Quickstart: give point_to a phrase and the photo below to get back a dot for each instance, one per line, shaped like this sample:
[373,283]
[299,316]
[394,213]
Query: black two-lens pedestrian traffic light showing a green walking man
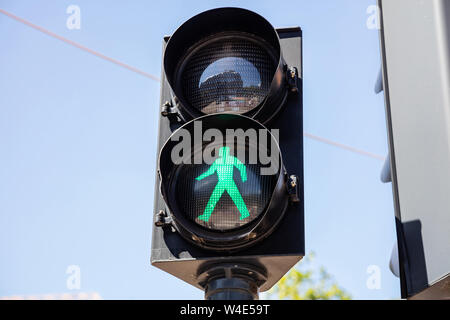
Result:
[229,187]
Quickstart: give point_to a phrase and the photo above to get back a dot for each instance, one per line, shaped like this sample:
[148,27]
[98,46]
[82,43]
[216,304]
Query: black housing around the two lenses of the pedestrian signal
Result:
[277,248]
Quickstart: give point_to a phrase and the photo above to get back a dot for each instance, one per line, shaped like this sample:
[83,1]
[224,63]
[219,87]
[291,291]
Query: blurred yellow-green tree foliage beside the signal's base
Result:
[303,282]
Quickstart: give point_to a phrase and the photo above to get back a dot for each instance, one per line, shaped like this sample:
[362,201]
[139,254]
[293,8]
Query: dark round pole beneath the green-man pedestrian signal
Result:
[229,281]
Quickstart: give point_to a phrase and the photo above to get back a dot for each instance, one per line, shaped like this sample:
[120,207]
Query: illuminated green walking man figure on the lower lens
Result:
[224,166]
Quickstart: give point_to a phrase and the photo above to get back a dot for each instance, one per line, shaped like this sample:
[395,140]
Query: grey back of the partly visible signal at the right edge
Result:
[415,80]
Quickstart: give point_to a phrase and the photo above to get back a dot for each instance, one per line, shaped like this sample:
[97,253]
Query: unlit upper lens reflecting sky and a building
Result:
[230,74]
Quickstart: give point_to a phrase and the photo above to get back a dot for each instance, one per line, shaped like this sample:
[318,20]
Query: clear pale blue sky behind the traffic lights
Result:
[78,145]
